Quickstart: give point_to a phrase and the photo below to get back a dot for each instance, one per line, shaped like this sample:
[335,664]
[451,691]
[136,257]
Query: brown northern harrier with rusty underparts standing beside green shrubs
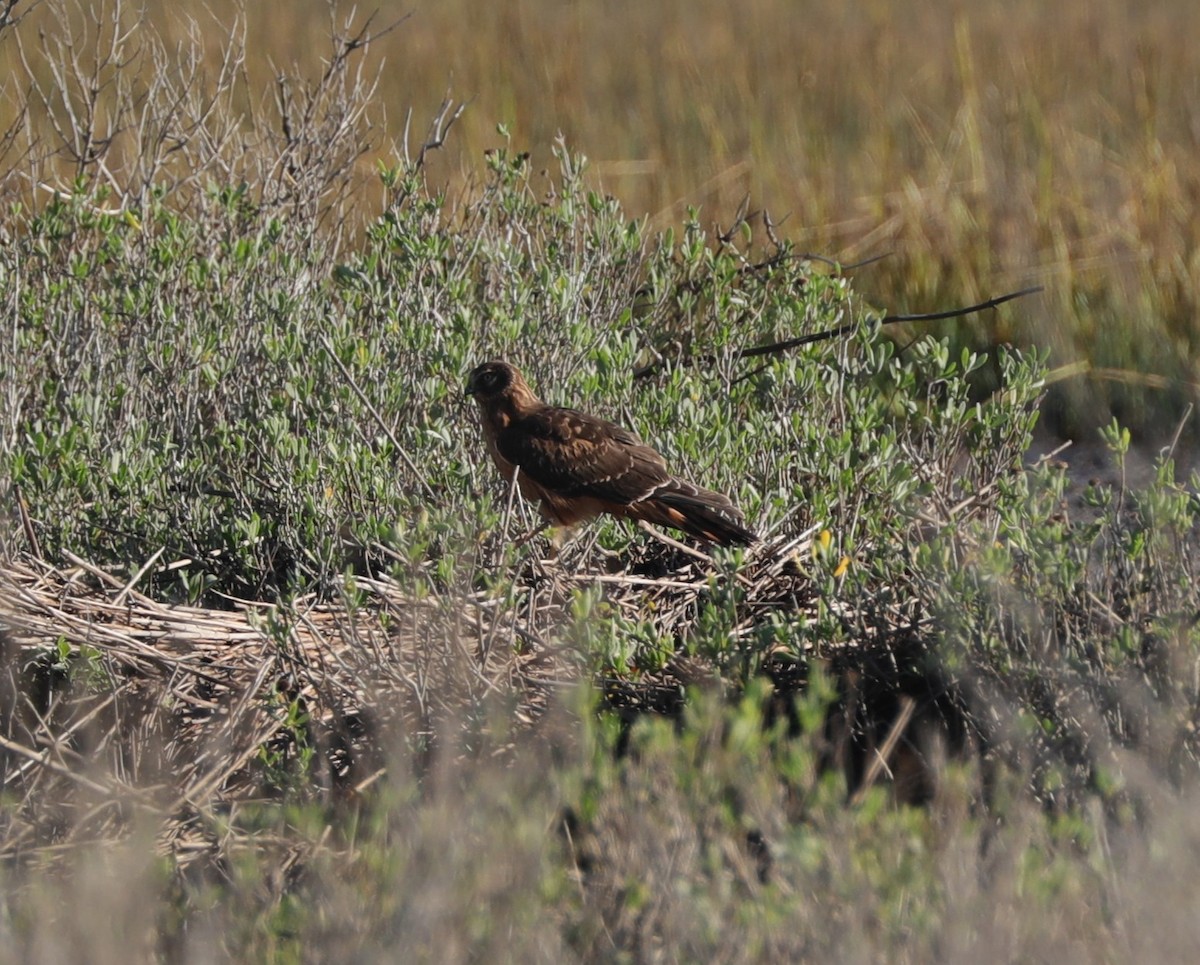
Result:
[578,466]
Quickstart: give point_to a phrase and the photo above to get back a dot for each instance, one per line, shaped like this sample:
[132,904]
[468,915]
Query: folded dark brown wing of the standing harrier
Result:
[575,455]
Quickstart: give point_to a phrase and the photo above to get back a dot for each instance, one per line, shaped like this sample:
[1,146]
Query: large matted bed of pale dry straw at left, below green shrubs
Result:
[181,712]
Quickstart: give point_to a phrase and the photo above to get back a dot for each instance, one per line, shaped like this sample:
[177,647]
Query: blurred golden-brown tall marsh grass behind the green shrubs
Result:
[983,146]
